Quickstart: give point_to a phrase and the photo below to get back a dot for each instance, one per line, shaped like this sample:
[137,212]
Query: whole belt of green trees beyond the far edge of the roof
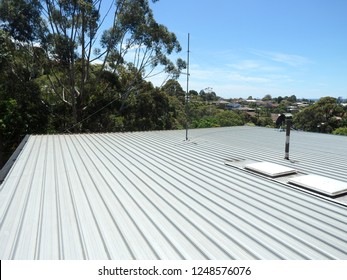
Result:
[62,70]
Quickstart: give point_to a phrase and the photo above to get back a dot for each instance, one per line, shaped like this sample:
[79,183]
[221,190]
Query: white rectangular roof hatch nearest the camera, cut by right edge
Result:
[320,184]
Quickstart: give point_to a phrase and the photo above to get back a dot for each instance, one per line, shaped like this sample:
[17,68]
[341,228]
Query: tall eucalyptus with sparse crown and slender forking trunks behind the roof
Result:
[134,42]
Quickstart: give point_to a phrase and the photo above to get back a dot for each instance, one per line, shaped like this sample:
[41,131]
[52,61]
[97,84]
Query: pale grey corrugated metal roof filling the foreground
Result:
[152,195]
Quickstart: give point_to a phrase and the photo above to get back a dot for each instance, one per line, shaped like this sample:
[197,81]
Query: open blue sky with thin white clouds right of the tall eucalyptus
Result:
[256,47]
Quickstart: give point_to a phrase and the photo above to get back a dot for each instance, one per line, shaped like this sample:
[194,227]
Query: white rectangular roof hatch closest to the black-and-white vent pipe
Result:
[270,169]
